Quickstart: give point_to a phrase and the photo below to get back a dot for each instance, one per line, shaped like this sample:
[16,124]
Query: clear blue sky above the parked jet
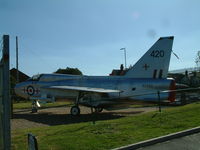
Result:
[88,34]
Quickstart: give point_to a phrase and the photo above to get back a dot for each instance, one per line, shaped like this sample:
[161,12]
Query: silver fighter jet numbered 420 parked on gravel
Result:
[143,82]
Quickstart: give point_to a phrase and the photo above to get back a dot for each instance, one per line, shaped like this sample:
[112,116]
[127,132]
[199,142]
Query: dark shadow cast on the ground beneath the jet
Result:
[60,119]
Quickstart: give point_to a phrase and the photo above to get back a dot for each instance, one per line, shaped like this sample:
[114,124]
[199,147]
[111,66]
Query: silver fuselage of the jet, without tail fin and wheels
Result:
[130,89]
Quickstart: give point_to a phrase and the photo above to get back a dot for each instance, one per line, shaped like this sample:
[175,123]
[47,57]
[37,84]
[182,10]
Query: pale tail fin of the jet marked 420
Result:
[155,62]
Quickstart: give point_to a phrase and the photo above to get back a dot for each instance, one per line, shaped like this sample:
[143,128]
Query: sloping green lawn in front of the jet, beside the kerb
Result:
[111,133]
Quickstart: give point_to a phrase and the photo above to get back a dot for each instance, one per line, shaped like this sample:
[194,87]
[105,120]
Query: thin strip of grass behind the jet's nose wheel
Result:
[27,105]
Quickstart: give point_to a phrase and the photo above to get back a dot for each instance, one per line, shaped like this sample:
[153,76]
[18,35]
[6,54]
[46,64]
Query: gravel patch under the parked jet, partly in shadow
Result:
[24,119]
